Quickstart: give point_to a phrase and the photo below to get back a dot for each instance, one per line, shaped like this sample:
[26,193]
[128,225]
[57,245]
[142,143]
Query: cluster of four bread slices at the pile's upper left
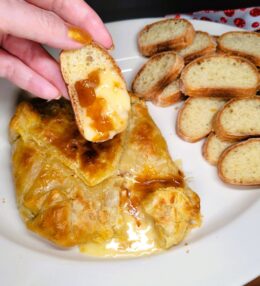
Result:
[152,82]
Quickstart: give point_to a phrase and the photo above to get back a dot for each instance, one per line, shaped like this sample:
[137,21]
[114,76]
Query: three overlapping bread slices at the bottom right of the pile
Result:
[231,147]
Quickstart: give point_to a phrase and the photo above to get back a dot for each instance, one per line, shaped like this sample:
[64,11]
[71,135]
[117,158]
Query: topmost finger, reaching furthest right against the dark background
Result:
[78,13]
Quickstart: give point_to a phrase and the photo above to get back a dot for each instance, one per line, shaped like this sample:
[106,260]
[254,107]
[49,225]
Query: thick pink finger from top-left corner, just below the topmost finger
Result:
[24,20]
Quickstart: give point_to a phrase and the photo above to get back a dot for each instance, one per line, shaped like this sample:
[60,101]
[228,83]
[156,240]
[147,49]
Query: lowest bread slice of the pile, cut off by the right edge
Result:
[239,164]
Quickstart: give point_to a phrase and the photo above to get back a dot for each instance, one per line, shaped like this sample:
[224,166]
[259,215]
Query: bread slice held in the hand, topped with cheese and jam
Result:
[97,90]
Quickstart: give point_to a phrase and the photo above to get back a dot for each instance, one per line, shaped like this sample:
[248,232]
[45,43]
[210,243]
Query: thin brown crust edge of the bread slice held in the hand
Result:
[73,95]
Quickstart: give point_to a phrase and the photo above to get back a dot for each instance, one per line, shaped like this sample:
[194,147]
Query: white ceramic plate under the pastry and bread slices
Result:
[224,251]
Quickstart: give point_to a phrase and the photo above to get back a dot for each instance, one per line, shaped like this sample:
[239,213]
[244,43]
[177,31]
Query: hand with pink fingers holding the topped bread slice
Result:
[25,24]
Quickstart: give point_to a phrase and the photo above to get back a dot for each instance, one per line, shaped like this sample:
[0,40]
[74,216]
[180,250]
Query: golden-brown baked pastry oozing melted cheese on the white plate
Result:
[124,196]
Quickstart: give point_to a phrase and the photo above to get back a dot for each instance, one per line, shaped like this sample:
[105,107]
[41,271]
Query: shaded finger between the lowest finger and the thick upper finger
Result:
[37,58]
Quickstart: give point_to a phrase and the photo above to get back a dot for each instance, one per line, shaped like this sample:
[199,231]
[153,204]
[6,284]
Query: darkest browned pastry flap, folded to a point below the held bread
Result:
[53,125]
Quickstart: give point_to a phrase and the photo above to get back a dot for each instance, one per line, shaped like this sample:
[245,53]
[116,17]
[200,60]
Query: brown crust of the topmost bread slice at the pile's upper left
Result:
[178,43]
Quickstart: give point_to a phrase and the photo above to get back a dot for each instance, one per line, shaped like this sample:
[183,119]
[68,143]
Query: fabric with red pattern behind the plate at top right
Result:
[246,18]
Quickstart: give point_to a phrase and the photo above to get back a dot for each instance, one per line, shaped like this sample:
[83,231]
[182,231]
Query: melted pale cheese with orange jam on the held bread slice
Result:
[104,122]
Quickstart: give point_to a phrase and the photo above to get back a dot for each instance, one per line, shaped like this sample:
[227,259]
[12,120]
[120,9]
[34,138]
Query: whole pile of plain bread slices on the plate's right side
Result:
[219,74]
